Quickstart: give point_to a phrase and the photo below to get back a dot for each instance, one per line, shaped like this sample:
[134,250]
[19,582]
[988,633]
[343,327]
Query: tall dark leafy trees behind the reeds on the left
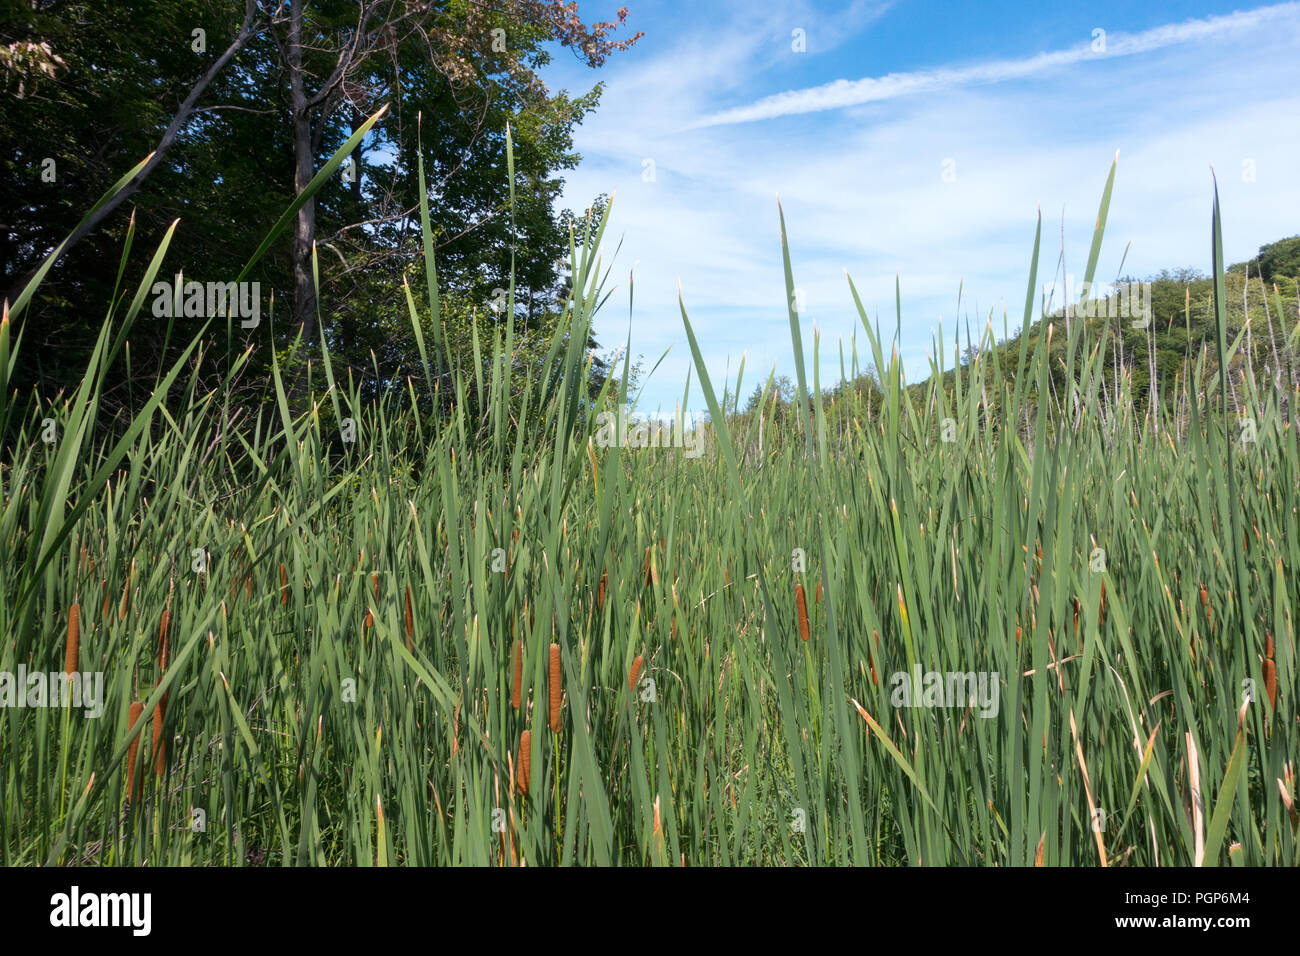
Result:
[237,131]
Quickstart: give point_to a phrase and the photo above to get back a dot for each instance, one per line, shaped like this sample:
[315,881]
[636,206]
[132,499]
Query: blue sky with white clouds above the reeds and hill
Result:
[917,139]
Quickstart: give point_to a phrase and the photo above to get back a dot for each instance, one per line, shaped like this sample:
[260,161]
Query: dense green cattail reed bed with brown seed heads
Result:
[489,641]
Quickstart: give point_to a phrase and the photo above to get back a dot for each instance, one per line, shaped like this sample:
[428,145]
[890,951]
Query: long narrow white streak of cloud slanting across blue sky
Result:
[844,93]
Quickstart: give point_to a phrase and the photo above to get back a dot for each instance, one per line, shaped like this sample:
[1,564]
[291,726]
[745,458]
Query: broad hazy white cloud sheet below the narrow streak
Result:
[863,191]
